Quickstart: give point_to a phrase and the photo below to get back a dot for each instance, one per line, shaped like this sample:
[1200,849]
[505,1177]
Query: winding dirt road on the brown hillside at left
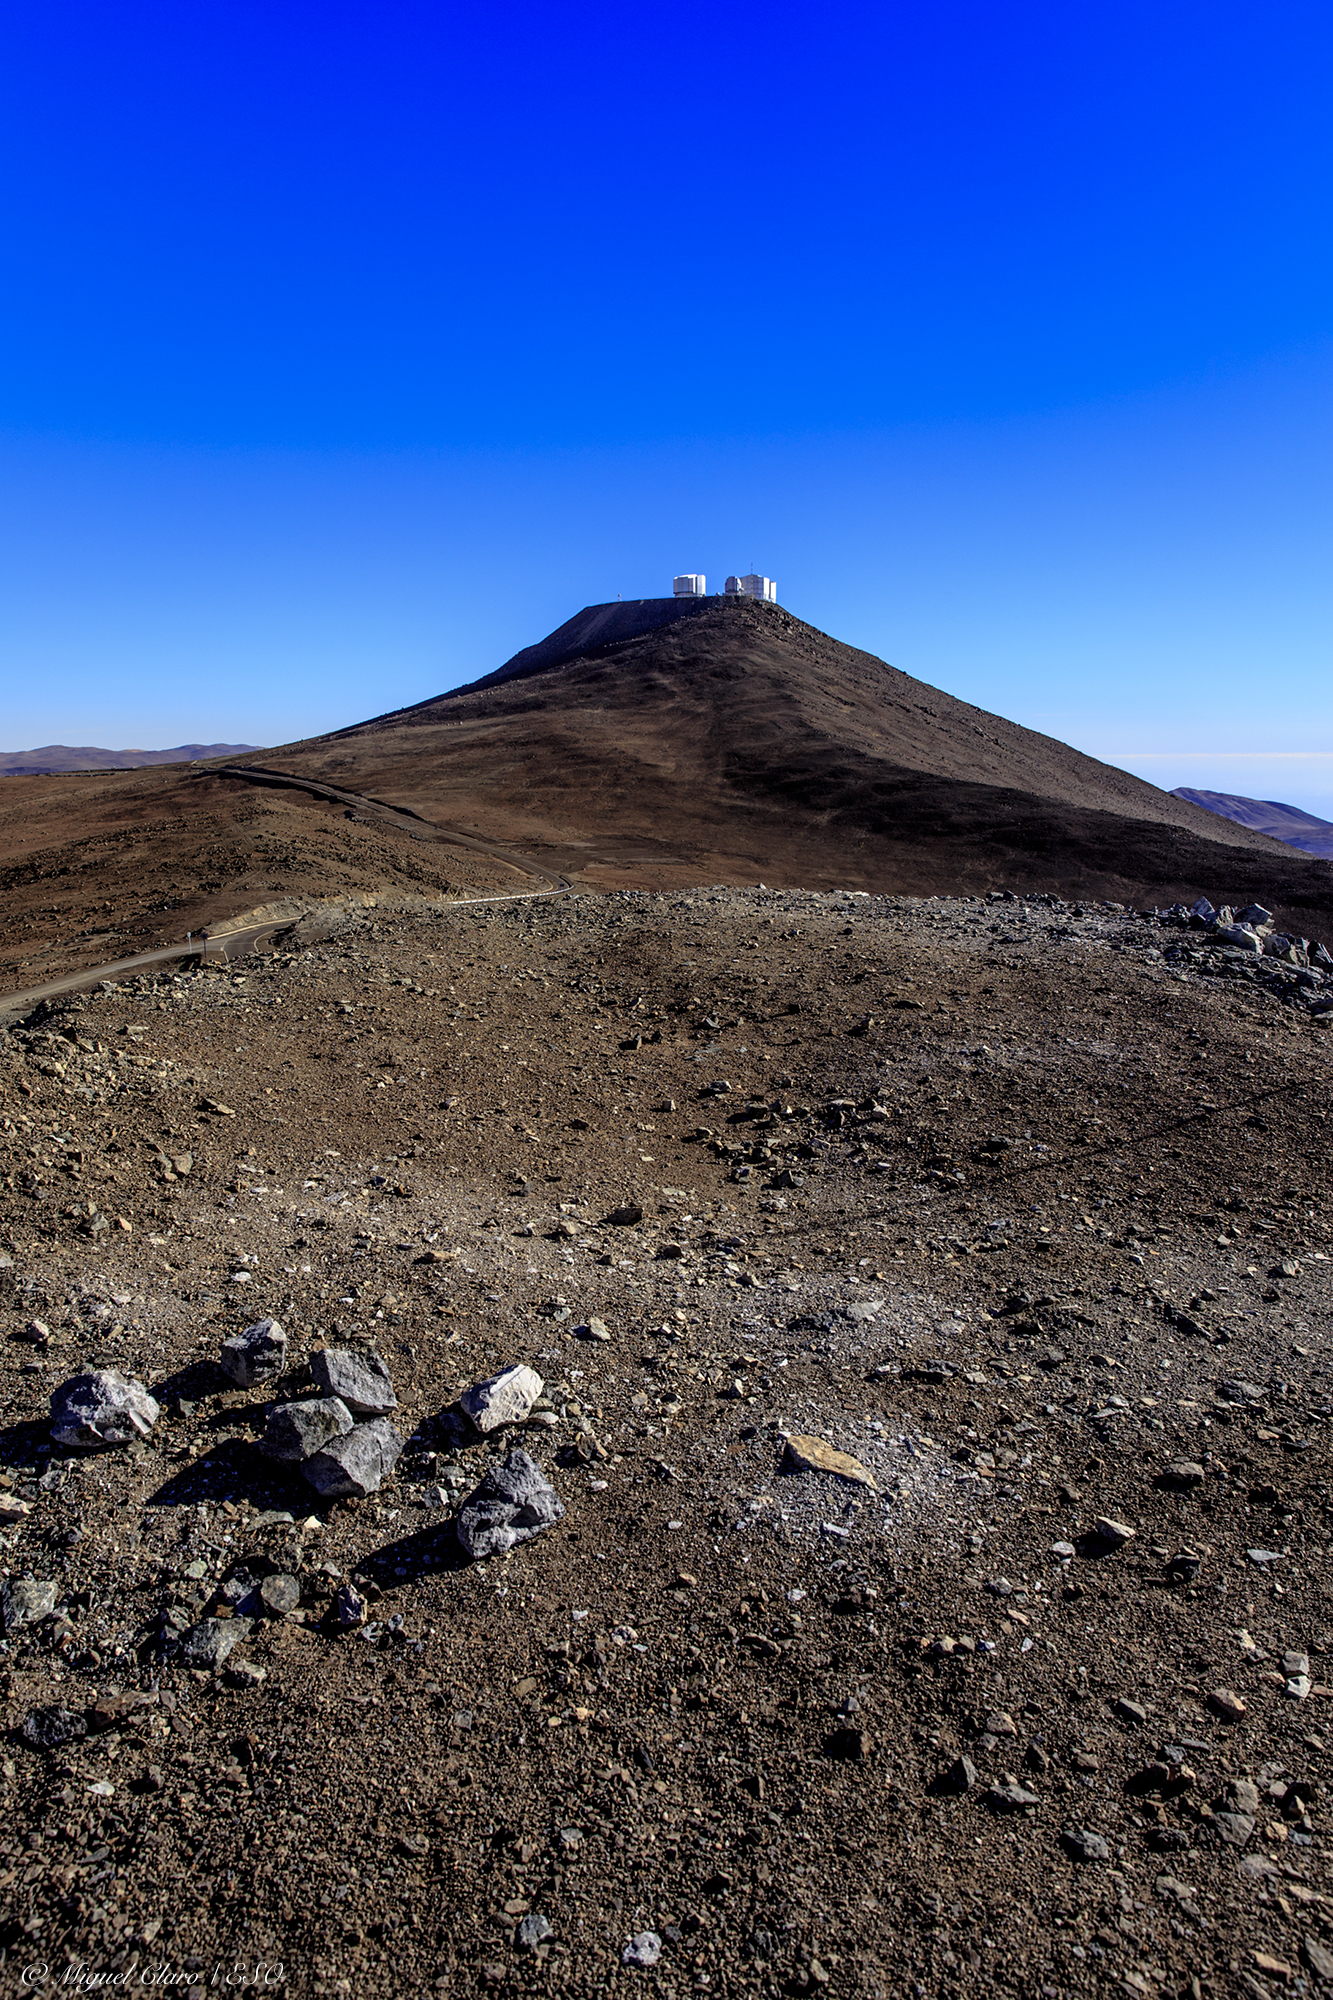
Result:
[249,939]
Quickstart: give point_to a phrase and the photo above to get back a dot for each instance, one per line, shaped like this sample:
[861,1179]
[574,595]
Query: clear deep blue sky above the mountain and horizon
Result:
[351,349]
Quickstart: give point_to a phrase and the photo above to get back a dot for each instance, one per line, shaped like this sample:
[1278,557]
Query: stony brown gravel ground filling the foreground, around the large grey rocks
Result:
[1020,1207]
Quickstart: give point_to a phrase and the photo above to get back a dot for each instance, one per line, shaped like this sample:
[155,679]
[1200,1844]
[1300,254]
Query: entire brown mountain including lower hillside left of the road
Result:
[643,745]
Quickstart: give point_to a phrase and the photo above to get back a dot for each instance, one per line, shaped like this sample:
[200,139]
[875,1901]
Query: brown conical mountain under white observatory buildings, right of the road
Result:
[716,739]
